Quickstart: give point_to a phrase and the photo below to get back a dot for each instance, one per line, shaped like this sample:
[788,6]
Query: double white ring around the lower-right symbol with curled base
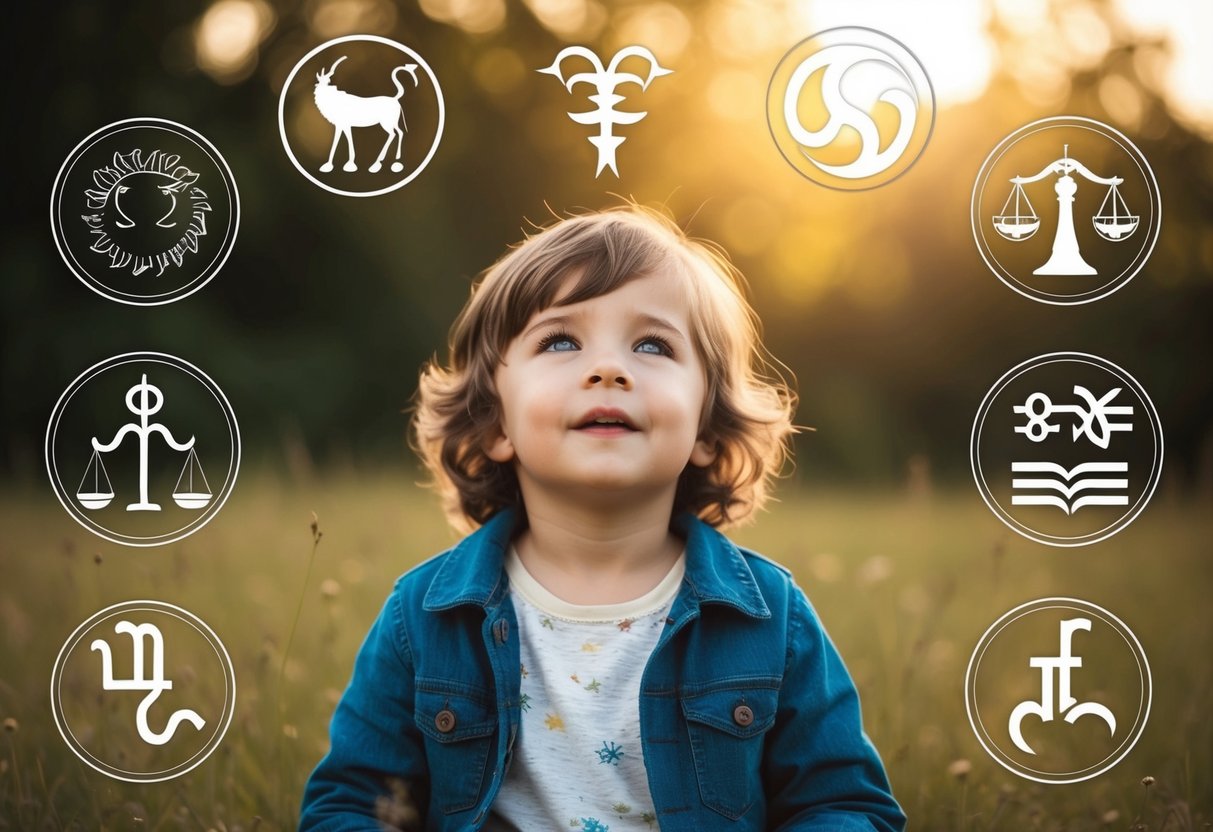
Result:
[1083,607]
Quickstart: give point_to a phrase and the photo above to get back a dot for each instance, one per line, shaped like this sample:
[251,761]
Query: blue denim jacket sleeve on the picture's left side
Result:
[375,757]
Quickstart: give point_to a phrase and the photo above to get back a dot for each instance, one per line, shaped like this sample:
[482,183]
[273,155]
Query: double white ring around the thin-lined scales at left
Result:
[96,528]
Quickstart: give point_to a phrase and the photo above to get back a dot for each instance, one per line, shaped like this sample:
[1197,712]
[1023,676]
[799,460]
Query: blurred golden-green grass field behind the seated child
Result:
[906,585]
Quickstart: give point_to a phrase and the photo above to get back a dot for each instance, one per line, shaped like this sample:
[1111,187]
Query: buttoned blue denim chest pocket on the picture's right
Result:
[726,723]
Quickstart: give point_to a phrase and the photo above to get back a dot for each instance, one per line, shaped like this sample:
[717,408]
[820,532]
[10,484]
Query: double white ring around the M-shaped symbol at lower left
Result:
[167,609]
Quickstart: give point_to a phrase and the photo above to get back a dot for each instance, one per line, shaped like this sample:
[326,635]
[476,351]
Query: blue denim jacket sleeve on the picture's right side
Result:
[821,771]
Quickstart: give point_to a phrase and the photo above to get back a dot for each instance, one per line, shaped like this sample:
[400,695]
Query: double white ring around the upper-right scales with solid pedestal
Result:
[1005,145]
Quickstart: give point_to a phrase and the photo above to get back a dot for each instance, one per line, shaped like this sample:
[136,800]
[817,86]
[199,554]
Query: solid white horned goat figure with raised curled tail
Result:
[346,112]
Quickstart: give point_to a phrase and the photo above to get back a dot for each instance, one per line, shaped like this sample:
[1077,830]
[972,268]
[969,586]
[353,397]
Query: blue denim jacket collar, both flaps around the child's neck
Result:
[716,573]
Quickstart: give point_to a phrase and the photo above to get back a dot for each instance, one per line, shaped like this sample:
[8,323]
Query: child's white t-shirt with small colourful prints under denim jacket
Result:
[578,762]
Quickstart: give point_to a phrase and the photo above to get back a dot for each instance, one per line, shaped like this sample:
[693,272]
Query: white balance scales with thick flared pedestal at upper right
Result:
[1113,223]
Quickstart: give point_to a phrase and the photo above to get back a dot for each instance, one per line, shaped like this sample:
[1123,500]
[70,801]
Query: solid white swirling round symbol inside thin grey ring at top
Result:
[839,61]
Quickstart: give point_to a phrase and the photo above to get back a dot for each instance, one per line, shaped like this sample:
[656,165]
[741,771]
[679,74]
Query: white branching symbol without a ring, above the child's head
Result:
[606,81]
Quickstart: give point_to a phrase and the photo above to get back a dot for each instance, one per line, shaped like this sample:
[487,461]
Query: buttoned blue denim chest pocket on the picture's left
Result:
[459,723]
